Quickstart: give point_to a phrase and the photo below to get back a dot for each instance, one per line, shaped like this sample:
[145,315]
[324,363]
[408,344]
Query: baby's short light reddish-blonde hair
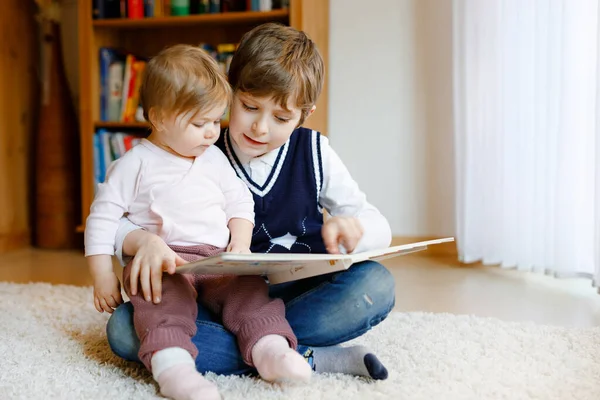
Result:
[183,80]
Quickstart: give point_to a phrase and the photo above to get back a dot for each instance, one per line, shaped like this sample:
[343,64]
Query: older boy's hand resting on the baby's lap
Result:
[152,258]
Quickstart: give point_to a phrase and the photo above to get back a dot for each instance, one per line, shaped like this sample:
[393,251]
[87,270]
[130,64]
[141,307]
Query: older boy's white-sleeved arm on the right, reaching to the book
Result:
[341,197]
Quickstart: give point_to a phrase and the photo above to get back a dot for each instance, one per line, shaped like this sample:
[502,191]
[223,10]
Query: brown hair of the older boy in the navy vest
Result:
[278,61]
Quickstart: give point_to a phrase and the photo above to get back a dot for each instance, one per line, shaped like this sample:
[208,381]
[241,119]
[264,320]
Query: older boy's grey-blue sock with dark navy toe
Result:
[357,360]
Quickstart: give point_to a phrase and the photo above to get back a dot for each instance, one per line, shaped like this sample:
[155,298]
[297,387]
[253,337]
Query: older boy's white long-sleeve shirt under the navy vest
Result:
[340,195]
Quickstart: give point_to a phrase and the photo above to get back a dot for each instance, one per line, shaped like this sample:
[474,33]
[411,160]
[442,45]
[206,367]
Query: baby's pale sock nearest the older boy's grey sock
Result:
[276,361]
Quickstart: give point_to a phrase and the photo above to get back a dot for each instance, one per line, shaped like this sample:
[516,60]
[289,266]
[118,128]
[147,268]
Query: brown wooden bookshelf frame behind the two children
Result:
[146,37]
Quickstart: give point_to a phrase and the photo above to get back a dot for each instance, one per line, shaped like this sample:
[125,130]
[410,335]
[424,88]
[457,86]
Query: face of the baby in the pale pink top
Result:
[191,139]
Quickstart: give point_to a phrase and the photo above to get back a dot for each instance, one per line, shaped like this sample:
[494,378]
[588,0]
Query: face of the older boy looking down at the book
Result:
[258,125]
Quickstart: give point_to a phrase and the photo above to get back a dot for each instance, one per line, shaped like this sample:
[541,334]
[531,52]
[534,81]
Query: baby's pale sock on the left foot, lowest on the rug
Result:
[175,371]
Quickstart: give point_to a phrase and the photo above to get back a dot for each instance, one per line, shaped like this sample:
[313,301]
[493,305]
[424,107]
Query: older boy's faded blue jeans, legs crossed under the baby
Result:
[323,311]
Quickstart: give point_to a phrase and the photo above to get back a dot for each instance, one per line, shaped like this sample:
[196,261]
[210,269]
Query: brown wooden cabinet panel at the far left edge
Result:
[18,104]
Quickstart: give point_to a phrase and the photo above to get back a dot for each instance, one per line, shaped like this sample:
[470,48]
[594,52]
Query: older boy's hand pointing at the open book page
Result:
[345,231]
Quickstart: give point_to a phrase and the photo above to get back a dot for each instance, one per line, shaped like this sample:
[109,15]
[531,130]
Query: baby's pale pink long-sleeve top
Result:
[184,202]
